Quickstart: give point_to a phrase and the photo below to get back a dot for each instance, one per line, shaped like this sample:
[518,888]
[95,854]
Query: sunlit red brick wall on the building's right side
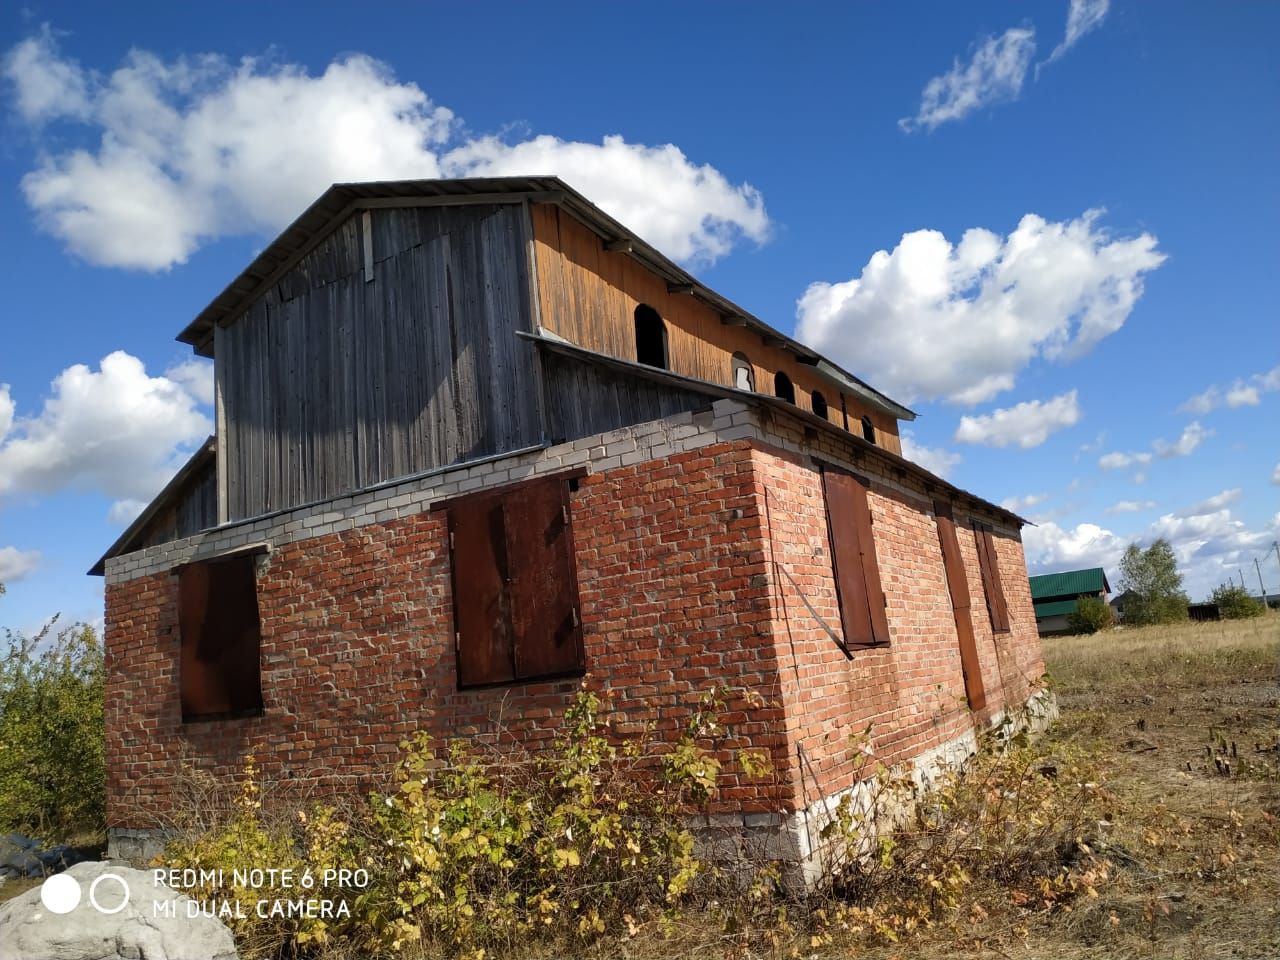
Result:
[912,692]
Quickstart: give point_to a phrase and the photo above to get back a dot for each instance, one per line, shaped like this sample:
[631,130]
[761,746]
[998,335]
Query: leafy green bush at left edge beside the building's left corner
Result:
[52,767]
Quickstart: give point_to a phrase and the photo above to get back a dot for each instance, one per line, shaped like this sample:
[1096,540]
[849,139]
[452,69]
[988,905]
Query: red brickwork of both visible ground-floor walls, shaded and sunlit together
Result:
[685,569]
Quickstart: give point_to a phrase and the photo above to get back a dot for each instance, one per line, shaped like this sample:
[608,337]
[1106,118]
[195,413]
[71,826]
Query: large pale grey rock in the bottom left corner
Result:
[154,925]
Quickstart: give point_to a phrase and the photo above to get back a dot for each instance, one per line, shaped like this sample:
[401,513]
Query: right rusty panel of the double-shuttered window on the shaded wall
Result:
[548,636]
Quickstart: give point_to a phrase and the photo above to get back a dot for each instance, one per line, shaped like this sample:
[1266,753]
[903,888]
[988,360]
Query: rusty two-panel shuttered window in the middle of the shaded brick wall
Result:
[515,589]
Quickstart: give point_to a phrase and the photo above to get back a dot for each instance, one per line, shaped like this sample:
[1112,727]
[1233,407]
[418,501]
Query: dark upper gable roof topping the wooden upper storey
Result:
[337,204]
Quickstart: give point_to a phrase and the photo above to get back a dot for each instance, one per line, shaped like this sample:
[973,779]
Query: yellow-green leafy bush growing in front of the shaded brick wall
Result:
[473,849]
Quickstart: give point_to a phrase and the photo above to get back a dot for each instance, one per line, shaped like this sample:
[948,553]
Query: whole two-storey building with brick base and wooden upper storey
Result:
[477,442]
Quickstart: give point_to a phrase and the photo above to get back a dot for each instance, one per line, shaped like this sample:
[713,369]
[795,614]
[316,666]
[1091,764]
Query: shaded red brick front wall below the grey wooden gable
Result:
[358,646]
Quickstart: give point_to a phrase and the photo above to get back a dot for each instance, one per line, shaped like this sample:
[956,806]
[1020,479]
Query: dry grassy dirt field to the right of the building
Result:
[1187,724]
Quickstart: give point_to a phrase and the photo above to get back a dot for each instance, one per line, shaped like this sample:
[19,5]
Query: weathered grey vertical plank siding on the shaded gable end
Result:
[335,383]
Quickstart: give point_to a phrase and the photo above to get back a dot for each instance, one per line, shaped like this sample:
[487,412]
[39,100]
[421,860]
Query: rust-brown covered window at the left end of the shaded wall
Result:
[218,621]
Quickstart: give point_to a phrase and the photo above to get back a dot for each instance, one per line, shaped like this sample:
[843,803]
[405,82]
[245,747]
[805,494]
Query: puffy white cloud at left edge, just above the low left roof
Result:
[115,431]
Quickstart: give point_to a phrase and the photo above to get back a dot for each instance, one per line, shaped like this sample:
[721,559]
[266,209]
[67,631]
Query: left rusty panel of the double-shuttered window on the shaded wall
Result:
[482,615]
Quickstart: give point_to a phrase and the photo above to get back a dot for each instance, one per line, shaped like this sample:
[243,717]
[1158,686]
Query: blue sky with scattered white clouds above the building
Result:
[1049,228]
